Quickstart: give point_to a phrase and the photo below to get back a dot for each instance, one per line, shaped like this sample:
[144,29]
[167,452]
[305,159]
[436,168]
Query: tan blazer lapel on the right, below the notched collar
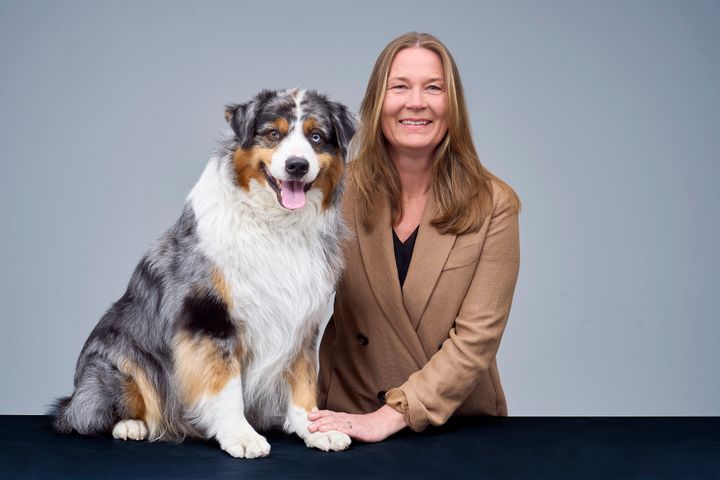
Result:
[429,255]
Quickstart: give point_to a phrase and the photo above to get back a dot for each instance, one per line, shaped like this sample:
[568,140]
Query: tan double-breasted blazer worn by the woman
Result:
[428,349]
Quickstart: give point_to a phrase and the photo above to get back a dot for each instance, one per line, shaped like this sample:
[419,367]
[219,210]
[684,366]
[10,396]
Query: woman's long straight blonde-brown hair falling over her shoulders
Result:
[461,185]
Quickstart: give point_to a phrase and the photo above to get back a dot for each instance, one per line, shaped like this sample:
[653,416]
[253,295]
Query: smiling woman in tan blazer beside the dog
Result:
[431,264]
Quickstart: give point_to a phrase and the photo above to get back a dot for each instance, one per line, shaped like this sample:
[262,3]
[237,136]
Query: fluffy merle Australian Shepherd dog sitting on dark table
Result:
[216,334]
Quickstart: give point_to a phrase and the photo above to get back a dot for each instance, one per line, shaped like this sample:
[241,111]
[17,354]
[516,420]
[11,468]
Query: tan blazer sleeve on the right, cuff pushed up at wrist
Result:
[433,393]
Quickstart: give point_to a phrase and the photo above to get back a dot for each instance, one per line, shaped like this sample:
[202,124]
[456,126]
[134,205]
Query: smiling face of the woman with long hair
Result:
[414,111]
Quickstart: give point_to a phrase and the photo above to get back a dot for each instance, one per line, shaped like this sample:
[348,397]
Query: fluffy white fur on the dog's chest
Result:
[273,260]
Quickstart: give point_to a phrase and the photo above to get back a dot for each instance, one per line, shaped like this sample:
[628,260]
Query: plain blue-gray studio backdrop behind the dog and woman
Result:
[603,115]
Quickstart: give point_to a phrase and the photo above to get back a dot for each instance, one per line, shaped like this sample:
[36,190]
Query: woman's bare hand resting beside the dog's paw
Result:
[368,427]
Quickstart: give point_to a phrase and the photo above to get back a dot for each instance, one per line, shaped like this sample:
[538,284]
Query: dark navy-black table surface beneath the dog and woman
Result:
[514,447]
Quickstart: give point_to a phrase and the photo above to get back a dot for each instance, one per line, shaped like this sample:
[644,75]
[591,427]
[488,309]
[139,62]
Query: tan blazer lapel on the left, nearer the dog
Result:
[378,256]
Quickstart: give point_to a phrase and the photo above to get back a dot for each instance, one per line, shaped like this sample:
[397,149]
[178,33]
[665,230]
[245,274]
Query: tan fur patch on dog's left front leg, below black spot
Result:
[202,366]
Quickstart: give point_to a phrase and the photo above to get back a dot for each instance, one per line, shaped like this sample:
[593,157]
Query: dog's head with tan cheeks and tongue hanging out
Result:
[291,141]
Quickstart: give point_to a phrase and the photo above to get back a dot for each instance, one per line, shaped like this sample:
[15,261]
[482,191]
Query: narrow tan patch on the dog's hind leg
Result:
[142,397]
